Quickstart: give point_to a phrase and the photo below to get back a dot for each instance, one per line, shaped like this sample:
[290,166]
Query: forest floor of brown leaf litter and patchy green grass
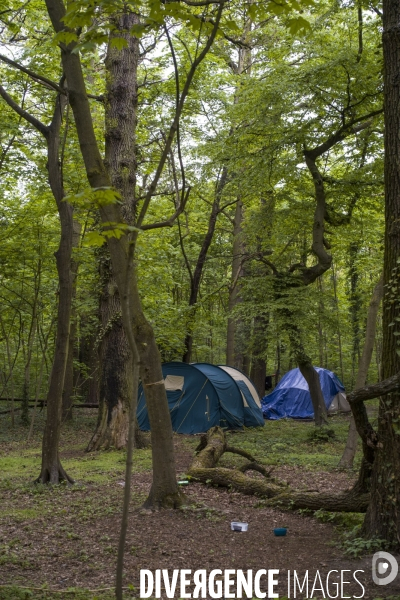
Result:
[61,542]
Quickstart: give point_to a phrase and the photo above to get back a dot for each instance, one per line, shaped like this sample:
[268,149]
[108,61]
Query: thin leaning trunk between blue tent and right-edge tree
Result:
[349,452]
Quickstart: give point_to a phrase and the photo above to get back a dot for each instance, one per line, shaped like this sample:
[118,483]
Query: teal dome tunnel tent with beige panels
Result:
[201,395]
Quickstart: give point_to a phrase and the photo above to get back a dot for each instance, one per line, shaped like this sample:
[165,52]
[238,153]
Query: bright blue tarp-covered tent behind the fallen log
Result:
[291,397]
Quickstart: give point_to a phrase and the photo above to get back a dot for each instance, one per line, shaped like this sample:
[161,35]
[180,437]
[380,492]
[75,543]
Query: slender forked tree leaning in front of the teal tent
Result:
[164,491]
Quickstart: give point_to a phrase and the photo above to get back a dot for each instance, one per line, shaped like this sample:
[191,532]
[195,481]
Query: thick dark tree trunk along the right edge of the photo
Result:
[382,518]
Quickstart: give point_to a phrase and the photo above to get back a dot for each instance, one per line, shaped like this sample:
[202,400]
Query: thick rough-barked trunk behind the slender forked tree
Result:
[116,369]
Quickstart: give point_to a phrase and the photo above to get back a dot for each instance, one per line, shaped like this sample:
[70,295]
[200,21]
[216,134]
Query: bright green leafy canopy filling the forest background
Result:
[307,78]
